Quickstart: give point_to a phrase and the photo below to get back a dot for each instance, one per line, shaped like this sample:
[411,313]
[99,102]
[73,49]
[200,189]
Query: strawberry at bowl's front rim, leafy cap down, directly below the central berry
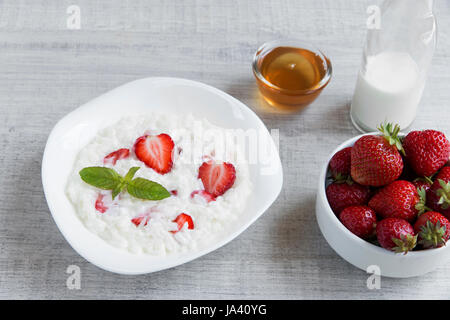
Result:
[396,235]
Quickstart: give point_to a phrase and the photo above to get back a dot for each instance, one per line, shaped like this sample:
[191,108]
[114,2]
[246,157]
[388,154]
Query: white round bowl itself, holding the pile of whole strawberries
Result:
[363,254]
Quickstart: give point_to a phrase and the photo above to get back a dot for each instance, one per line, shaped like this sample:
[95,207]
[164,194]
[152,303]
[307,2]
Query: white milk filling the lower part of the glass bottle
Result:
[389,91]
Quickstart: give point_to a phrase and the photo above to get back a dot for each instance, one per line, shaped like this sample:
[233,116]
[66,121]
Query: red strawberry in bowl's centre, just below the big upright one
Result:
[397,200]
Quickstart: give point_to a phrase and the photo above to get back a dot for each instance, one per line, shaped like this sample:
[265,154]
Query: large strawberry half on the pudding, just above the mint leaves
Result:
[155,152]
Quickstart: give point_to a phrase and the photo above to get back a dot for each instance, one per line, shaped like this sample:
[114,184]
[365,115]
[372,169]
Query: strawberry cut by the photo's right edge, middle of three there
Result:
[438,197]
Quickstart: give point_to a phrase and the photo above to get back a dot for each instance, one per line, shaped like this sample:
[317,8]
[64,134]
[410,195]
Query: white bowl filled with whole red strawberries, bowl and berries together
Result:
[384,200]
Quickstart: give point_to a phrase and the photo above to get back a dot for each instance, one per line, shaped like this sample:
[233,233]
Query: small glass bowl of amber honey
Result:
[290,75]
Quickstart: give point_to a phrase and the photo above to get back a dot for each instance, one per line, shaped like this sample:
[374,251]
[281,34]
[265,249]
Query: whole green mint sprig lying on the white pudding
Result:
[108,179]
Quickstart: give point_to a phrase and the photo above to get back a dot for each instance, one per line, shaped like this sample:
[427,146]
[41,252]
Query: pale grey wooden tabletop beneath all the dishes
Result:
[48,71]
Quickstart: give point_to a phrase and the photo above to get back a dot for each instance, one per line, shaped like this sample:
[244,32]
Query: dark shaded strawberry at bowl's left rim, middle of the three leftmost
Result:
[343,195]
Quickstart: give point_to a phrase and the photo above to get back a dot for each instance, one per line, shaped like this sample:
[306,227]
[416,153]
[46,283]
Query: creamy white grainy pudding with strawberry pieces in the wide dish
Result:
[201,208]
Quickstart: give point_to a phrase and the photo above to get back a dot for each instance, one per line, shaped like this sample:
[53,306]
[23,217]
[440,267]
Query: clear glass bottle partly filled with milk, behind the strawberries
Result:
[396,59]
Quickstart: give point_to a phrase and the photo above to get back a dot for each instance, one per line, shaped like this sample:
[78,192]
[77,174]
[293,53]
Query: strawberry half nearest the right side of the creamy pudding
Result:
[217,177]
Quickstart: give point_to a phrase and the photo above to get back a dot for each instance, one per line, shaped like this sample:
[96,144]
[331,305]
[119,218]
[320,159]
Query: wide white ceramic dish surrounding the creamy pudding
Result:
[77,128]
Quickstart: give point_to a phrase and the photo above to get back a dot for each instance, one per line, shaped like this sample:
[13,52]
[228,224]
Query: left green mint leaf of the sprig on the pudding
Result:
[101,177]
